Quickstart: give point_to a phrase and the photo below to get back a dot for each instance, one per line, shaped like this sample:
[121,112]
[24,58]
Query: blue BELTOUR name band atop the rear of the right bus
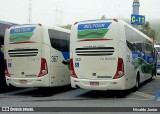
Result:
[90,26]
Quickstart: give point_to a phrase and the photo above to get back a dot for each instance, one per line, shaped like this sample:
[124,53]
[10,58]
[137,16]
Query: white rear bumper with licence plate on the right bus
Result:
[113,84]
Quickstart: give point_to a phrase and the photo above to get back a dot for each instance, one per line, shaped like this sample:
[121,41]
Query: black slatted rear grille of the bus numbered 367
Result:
[23,52]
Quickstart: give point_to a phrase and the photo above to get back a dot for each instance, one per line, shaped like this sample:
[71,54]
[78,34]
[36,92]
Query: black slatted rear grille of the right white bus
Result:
[96,51]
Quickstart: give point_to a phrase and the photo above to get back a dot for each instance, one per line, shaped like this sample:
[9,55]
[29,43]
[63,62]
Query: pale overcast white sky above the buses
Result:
[53,12]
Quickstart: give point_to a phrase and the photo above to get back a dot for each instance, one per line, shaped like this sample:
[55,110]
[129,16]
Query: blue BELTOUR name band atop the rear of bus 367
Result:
[22,30]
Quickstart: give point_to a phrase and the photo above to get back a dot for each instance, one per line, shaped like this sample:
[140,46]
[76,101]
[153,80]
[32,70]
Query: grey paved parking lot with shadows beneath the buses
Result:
[69,97]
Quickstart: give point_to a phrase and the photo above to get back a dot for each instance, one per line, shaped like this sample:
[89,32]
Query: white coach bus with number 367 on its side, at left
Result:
[37,56]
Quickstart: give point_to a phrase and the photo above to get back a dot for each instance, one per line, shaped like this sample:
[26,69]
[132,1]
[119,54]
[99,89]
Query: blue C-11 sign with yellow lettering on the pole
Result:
[137,19]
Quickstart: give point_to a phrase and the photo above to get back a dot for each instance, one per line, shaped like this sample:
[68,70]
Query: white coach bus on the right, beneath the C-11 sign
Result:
[109,55]
